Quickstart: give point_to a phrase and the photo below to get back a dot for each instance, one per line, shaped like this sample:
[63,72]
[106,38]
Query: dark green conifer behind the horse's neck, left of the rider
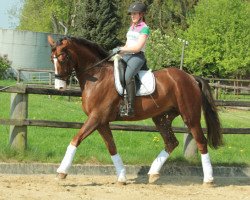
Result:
[98,21]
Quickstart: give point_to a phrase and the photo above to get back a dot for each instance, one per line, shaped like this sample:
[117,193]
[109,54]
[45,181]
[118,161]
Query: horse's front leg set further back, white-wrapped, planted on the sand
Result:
[107,136]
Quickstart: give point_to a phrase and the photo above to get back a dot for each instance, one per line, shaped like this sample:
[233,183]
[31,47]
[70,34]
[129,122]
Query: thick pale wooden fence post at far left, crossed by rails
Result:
[19,110]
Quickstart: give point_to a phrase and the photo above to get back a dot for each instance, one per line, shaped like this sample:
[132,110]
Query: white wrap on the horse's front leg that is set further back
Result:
[120,169]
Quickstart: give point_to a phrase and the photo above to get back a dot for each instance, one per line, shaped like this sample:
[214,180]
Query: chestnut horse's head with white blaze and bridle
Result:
[63,61]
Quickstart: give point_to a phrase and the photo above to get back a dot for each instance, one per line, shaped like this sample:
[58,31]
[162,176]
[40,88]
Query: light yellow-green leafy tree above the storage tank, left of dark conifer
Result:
[47,16]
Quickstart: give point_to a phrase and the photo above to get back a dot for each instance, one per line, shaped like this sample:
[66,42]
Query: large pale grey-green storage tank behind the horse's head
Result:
[26,49]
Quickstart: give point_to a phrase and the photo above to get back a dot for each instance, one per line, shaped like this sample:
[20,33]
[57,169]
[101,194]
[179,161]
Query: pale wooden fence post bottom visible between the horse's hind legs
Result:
[190,147]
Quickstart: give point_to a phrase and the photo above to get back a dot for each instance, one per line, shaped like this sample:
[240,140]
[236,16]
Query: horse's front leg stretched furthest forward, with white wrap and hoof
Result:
[88,127]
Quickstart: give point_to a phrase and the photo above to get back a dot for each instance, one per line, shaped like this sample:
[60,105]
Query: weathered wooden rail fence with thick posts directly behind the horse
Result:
[19,117]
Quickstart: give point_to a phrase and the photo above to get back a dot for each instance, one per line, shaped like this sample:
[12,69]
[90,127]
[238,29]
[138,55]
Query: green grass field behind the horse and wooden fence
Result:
[49,144]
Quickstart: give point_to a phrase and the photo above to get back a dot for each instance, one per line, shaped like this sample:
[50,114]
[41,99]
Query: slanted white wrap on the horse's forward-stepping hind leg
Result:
[158,162]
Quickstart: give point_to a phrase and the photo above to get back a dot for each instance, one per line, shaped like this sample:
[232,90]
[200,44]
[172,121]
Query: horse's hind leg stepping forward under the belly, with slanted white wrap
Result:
[164,125]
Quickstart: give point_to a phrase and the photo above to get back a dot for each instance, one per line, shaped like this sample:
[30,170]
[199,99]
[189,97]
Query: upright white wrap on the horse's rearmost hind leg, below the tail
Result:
[207,168]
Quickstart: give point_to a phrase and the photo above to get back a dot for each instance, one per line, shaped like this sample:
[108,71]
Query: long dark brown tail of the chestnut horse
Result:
[214,134]
